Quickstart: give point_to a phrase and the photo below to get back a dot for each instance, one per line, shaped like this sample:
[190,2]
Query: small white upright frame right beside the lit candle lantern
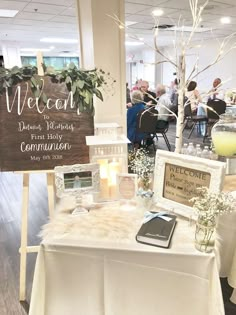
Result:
[127,186]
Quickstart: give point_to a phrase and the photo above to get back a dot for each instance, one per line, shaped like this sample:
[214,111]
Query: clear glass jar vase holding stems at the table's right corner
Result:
[205,234]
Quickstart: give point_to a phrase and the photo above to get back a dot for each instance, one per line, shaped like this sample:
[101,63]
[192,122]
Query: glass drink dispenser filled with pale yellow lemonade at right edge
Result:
[223,135]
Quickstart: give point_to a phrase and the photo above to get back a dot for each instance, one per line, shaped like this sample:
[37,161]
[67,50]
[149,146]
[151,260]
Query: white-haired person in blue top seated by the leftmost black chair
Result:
[138,105]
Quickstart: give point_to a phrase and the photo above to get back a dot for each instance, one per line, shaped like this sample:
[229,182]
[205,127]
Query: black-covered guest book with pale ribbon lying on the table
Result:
[157,231]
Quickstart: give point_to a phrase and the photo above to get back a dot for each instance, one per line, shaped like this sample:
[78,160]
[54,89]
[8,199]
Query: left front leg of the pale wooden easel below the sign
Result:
[24,236]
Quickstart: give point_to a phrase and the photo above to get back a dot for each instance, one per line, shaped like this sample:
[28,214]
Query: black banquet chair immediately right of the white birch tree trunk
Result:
[194,119]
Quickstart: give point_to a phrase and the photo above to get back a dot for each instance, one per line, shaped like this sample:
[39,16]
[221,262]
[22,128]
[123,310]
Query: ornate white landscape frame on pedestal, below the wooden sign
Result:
[77,179]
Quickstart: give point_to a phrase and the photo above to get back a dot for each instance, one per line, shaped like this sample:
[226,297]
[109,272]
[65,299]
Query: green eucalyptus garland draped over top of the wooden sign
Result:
[83,84]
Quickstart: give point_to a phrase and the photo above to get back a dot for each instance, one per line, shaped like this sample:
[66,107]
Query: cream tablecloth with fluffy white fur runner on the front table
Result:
[92,265]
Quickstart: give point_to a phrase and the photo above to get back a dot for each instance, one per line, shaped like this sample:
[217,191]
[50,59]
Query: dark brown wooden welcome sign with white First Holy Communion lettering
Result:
[39,136]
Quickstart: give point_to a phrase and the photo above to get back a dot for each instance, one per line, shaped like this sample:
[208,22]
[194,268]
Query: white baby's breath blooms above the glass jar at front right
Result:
[209,205]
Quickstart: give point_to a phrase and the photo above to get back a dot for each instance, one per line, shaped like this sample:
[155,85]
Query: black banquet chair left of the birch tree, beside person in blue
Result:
[147,122]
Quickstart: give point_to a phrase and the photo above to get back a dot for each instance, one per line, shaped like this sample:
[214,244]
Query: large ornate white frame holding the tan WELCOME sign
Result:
[172,190]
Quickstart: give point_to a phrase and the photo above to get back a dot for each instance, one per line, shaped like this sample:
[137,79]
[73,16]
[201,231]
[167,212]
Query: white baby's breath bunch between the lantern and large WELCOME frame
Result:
[142,165]
